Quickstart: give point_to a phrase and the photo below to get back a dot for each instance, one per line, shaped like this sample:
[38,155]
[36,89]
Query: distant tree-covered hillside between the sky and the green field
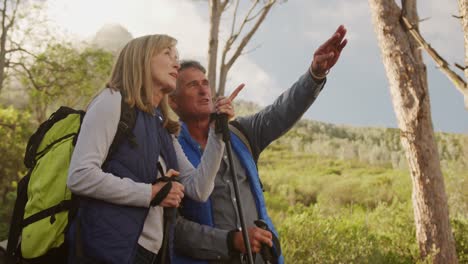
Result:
[376,146]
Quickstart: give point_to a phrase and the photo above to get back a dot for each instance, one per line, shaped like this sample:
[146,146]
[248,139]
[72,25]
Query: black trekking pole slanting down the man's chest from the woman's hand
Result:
[222,127]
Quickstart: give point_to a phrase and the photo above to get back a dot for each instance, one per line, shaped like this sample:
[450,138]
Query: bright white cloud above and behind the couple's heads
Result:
[176,18]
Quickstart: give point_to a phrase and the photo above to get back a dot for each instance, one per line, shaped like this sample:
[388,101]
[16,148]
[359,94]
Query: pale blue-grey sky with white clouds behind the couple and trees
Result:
[357,90]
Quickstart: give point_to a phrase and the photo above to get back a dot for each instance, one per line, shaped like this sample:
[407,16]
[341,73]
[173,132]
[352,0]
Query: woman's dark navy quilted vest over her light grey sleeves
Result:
[110,232]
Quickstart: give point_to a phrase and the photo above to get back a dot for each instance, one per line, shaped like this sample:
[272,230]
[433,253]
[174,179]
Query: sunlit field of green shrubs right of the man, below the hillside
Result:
[330,210]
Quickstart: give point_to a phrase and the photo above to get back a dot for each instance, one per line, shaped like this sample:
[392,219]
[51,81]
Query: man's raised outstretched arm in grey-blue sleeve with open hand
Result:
[276,119]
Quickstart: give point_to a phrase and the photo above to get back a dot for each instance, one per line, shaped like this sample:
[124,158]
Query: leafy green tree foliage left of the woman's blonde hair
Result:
[63,75]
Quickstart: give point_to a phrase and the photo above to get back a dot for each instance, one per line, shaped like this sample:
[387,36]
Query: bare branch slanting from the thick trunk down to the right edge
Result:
[459,83]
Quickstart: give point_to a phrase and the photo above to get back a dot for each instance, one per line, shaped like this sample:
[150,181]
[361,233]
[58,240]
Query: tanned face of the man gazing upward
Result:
[193,96]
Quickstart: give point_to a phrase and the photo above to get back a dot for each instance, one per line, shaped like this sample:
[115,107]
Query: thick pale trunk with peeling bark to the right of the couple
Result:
[406,73]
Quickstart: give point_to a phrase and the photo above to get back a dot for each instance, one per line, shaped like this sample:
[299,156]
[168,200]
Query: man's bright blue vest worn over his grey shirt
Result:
[201,212]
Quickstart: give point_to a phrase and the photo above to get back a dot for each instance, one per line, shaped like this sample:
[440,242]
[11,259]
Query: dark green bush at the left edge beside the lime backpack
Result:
[15,129]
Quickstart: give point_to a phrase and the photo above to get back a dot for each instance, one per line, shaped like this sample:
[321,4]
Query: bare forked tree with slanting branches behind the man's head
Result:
[255,16]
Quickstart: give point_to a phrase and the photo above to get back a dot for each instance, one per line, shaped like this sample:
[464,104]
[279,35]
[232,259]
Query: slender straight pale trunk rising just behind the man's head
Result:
[215,17]
